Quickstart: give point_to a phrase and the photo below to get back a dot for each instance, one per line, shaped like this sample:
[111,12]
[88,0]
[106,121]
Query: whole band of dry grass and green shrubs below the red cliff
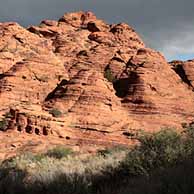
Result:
[162,163]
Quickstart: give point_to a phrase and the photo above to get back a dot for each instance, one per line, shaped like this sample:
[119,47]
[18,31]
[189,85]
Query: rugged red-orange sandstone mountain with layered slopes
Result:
[83,82]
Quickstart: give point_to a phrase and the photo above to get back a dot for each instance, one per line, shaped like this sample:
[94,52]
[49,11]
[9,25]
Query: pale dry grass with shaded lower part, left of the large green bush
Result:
[70,174]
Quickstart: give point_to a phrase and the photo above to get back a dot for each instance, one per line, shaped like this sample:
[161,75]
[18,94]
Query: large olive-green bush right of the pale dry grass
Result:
[158,150]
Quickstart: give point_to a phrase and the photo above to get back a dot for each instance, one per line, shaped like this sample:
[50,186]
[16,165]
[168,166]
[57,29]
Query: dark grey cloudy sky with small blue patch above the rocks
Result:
[165,25]
